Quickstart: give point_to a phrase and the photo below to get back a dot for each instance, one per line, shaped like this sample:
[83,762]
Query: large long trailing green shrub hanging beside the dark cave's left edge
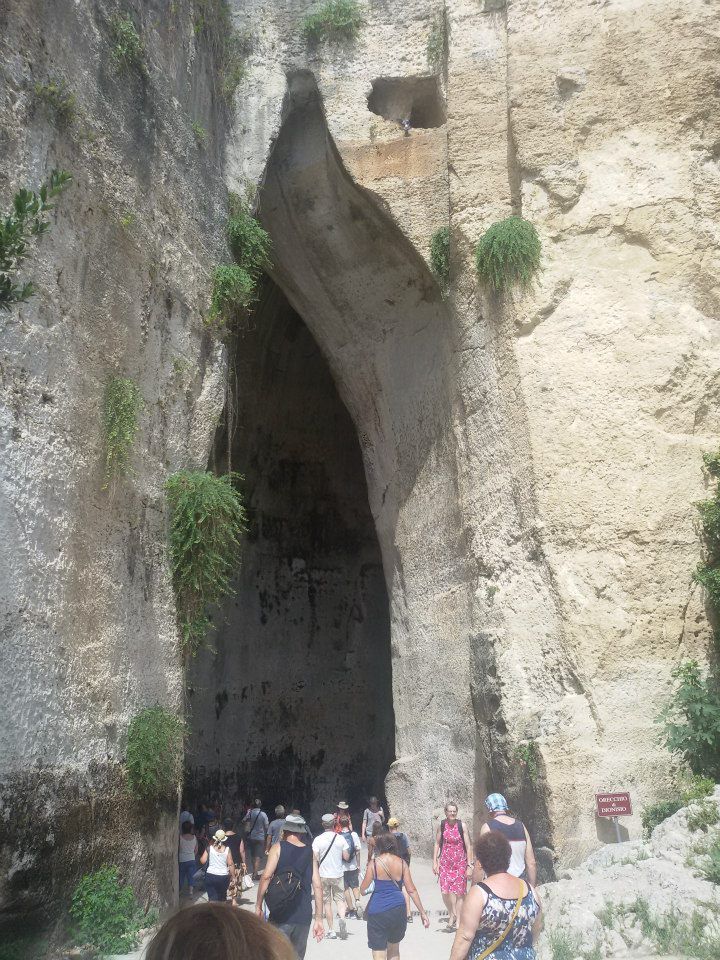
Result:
[207,520]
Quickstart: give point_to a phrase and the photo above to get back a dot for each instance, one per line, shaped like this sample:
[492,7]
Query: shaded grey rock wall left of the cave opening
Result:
[88,622]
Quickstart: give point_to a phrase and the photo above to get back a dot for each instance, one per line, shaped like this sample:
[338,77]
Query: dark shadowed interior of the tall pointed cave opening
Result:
[295,703]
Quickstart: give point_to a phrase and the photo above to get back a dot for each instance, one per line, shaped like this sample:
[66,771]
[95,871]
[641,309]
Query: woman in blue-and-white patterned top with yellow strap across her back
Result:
[501,915]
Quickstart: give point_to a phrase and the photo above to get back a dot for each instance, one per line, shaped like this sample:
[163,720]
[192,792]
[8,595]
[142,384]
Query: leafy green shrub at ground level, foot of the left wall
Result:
[105,914]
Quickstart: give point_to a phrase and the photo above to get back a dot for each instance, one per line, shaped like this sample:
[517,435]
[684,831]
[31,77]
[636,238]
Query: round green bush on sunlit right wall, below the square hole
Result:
[508,254]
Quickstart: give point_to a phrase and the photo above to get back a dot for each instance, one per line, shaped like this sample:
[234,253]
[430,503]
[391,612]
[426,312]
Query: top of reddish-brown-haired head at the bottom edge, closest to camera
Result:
[214,931]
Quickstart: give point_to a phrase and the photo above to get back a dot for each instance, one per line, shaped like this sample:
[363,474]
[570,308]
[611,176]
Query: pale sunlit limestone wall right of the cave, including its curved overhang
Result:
[567,425]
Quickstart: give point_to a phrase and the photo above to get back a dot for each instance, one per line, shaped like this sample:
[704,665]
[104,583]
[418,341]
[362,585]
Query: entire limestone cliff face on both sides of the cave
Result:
[530,462]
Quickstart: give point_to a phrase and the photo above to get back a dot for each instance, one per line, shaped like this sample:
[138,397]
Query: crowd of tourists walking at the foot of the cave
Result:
[310,884]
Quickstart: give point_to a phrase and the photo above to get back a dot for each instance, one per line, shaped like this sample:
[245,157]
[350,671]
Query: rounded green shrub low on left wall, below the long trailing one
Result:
[154,754]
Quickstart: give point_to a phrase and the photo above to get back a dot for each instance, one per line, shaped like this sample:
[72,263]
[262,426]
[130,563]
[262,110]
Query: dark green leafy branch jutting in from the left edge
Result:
[25,222]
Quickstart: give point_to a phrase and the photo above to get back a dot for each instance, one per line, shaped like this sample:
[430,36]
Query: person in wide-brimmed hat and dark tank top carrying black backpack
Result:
[293,872]
